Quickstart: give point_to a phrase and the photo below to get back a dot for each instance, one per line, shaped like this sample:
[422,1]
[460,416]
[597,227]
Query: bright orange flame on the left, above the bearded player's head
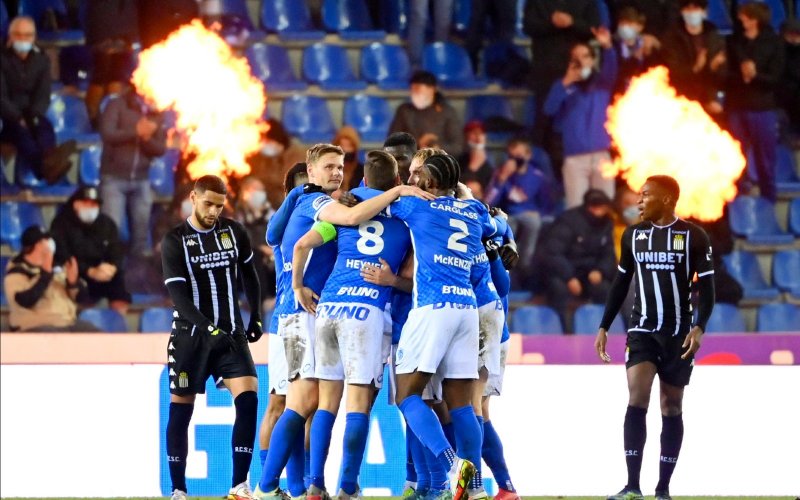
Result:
[218,103]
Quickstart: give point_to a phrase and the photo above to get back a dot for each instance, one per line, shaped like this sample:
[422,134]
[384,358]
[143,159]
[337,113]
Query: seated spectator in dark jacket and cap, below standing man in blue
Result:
[576,255]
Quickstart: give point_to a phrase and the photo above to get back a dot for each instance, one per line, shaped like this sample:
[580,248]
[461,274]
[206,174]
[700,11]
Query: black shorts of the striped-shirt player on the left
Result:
[191,359]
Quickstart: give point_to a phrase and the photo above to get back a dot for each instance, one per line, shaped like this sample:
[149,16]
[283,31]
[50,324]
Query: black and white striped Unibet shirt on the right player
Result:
[664,260]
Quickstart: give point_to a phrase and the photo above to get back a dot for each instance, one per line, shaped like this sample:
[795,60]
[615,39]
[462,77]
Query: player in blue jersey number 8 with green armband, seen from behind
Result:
[349,345]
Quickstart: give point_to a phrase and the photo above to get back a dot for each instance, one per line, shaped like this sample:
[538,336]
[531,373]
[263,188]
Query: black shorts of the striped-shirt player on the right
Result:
[665,352]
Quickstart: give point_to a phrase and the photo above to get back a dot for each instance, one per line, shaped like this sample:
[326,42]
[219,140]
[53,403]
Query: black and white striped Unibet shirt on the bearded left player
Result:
[208,262]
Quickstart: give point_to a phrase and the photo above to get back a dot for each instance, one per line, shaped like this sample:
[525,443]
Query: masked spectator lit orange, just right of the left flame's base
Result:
[278,153]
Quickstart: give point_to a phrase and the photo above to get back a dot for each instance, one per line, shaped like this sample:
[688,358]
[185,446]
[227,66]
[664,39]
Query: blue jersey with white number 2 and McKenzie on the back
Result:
[446,233]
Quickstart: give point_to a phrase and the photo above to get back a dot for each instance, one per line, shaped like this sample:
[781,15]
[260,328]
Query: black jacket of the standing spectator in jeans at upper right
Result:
[767,51]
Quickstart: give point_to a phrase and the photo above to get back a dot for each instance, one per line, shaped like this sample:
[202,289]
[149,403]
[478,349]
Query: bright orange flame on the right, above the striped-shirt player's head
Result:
[658,132]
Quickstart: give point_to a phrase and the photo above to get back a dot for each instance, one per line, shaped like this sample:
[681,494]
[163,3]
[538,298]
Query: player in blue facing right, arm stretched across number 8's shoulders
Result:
[296,326]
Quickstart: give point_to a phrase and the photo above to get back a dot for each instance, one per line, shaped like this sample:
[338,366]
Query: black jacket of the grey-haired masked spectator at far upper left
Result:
[24,85]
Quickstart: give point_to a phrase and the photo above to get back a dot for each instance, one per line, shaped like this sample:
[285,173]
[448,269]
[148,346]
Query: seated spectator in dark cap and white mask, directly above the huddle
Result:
[428,117]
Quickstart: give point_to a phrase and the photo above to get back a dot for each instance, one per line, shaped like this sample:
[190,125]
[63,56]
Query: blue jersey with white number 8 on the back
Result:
[379,237]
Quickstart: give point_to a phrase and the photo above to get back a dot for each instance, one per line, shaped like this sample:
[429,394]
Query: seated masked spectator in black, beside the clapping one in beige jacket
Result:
[92,238]
